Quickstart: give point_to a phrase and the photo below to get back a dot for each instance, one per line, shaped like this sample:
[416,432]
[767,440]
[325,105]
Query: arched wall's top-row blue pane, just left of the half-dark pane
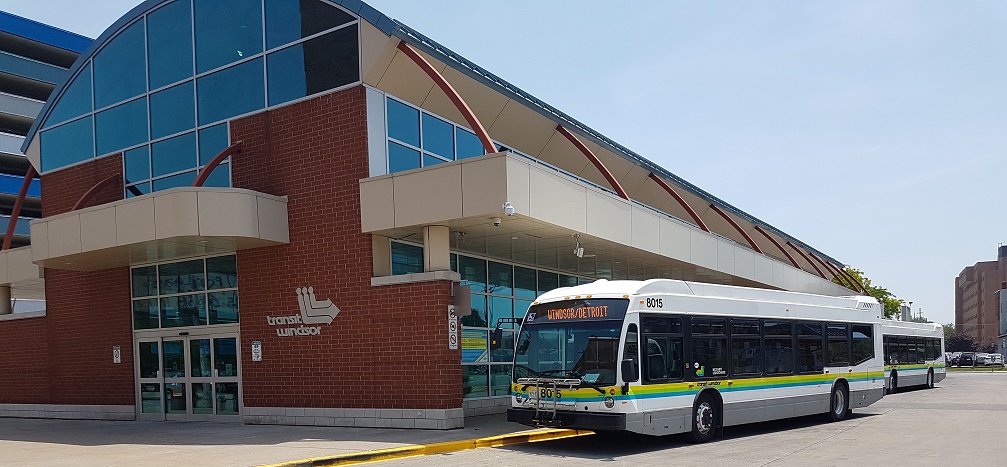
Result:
[227,32]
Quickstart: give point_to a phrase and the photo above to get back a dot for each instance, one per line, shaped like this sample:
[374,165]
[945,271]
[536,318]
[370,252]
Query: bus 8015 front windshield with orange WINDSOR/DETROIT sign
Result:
[572,340]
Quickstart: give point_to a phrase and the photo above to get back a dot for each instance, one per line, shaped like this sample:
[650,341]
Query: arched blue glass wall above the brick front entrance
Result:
[163,89]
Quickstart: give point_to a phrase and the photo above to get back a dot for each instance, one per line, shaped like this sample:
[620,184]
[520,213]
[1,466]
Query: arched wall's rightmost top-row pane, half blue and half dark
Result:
[287,22]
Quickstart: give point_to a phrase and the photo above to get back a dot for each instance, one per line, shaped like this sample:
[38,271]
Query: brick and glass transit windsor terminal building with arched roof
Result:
[374,208]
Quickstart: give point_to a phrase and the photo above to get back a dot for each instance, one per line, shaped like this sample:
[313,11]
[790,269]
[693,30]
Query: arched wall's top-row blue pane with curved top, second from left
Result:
[119,74]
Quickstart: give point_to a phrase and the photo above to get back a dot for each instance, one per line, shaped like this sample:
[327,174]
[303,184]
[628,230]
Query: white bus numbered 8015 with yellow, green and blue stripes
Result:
[666,357]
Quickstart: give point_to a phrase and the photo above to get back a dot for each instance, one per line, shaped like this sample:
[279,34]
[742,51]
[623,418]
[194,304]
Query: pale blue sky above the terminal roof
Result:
[874,131]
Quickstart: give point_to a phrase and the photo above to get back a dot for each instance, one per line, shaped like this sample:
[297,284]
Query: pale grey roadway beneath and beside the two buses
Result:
[961,422]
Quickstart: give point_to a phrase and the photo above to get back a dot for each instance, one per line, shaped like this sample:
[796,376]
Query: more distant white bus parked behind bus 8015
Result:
[914,355]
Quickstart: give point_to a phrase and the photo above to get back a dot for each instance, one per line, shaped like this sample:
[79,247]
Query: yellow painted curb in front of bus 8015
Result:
[437,448]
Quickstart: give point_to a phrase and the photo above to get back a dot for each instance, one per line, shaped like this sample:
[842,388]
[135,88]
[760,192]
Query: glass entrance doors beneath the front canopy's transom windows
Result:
[189,378]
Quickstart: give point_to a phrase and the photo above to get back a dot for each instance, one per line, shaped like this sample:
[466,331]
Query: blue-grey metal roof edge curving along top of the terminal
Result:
[413,38]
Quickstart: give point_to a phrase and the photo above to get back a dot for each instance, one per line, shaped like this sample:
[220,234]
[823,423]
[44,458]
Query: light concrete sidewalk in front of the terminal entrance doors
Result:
[74,442]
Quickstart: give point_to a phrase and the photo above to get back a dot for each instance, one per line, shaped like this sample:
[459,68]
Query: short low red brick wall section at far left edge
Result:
[24,353]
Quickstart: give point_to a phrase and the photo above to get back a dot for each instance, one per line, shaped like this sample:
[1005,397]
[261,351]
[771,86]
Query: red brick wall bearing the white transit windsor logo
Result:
[388,347]
